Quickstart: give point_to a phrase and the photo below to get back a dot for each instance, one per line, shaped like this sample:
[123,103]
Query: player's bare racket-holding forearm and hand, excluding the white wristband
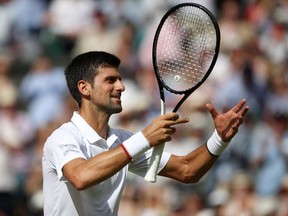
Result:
[85,173]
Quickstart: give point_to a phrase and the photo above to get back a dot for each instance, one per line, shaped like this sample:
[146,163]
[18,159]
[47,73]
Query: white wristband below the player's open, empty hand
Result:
[216,145]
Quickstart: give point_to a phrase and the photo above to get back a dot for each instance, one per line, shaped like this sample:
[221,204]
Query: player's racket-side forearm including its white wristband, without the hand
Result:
[84,173]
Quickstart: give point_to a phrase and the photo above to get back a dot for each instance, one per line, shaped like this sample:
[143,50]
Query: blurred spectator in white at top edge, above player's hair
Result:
[65,21]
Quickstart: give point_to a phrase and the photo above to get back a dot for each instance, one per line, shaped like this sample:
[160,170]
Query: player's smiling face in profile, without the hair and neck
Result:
[105,94]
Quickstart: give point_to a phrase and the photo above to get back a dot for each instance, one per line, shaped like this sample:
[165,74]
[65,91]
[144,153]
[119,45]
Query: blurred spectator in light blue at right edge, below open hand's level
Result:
[265,156]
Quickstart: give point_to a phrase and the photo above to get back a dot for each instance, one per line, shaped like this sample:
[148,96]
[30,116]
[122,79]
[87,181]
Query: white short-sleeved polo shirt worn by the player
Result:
[76,139]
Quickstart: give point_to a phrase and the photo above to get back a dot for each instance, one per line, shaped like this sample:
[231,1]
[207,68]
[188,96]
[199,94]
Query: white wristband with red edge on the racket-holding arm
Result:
[136,144]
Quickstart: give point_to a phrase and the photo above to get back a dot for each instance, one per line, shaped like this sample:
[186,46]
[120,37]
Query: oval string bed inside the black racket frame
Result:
[185,48]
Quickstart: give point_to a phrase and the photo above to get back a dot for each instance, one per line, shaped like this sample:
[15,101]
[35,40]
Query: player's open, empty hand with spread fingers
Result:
[227,124]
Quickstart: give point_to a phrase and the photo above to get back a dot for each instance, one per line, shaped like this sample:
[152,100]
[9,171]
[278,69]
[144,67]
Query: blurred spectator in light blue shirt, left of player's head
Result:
[43,89]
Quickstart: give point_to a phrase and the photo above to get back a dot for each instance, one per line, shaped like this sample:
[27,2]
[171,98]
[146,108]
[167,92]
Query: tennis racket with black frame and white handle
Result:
[185,49]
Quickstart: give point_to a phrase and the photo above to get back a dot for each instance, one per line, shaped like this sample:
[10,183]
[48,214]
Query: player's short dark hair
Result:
[85,67]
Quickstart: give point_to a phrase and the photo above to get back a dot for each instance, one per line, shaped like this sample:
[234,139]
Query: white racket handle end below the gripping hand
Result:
[151,174]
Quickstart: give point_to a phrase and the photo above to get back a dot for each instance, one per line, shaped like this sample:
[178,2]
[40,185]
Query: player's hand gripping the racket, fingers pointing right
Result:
[160,130]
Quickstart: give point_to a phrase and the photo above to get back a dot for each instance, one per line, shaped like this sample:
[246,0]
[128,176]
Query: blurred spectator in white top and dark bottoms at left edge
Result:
[15,134]
